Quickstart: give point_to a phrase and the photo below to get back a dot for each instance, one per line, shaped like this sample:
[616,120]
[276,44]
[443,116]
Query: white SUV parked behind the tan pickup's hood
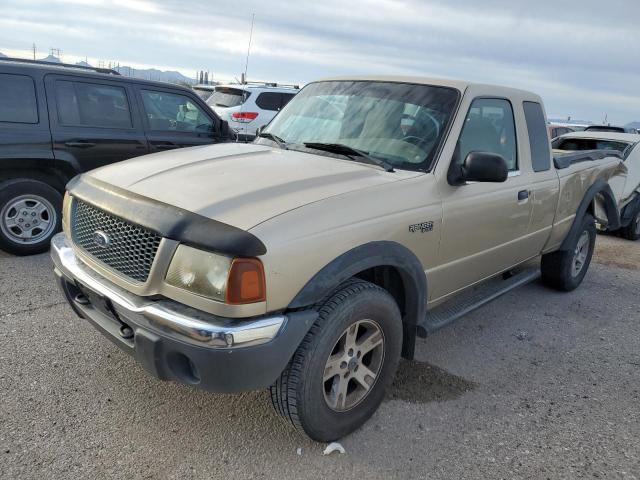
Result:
[247,107]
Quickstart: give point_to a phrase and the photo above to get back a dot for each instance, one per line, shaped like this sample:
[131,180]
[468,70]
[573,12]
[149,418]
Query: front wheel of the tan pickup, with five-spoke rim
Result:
[304,397]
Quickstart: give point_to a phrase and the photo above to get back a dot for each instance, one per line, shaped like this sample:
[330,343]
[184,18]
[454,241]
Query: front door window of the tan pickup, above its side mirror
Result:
[490,127]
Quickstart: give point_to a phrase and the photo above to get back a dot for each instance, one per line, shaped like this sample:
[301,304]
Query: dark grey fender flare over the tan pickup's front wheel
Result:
[364,257]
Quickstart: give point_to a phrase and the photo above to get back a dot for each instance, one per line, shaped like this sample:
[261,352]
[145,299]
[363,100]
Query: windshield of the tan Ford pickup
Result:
[402,124]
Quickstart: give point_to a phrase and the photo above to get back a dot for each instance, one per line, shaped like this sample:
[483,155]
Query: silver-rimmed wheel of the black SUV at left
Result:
[30,214]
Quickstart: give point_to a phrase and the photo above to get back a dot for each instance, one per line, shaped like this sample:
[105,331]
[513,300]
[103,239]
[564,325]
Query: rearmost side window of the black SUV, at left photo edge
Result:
[17,99]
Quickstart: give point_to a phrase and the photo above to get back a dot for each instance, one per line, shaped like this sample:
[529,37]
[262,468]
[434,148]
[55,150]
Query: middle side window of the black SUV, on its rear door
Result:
[92,105]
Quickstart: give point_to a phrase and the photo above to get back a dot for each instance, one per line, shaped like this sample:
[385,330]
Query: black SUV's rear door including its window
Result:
[93,121]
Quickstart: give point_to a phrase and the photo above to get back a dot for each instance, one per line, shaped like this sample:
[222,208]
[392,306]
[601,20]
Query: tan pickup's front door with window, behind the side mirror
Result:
[485,225]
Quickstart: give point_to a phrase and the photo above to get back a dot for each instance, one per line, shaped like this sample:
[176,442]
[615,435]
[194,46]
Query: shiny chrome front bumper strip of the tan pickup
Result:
[168,318]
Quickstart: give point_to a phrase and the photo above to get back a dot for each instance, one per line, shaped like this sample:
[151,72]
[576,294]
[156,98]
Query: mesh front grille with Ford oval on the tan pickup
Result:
[126,248]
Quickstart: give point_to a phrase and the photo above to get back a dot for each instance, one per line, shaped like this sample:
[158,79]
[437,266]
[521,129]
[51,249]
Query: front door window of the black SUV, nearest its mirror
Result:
[175,113]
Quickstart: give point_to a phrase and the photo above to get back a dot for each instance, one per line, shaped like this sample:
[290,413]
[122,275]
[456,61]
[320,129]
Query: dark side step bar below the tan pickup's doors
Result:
[466,302]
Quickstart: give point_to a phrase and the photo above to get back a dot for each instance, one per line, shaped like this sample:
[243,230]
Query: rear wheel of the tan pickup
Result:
[565,269]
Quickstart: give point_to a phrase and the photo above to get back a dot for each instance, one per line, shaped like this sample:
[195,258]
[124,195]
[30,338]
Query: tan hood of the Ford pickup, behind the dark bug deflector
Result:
[242,184]
